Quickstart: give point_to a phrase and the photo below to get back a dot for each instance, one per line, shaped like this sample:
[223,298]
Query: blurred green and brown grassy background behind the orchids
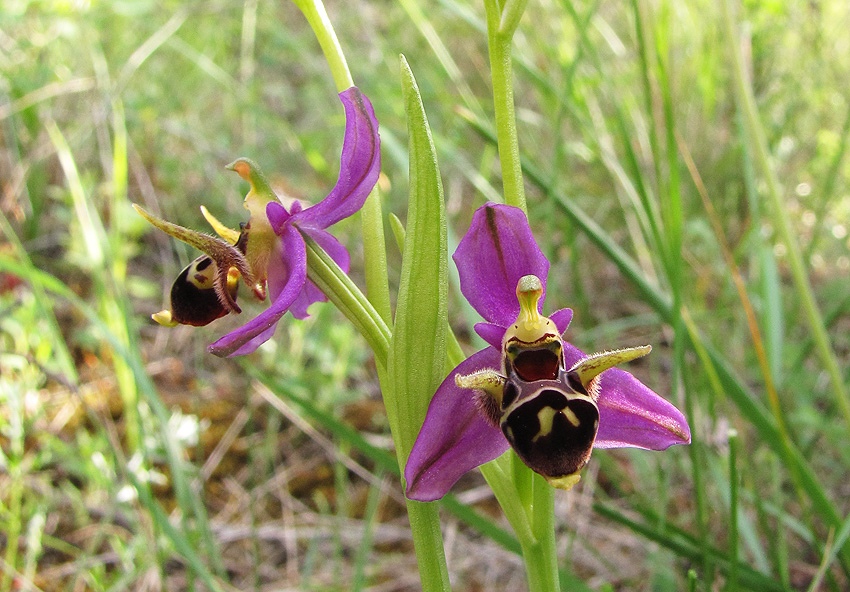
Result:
[133,460]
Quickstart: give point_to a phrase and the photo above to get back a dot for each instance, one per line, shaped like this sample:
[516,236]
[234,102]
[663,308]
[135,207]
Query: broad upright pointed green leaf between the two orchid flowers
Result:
[418,345]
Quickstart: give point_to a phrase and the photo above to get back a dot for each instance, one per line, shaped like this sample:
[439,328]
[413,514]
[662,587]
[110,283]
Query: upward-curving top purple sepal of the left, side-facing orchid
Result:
[360,164]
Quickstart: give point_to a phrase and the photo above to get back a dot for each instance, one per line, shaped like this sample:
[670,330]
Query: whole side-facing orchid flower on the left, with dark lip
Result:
[269,251]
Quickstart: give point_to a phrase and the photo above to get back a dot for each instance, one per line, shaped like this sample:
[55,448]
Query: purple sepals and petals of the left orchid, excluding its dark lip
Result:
[289,288]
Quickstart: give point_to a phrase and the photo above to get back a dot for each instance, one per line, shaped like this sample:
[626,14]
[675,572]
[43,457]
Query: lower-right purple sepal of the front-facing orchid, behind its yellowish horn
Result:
[631,415]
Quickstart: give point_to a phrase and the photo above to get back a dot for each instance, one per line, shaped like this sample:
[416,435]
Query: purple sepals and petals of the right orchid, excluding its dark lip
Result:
[455,437]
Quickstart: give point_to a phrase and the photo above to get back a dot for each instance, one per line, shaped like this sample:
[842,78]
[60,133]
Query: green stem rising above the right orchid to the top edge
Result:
[501,72]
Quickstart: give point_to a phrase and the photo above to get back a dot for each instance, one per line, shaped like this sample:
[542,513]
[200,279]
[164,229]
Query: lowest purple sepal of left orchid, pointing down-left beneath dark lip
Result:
[287,274]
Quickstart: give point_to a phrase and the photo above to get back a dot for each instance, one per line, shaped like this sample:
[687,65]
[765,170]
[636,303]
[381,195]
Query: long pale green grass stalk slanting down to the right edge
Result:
[781,221]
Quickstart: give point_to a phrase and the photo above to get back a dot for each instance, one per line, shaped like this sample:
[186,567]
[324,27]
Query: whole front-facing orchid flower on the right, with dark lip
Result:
[529,390]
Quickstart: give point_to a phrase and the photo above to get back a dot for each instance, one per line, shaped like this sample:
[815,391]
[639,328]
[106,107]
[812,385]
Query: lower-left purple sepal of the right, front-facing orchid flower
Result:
[455,436]
